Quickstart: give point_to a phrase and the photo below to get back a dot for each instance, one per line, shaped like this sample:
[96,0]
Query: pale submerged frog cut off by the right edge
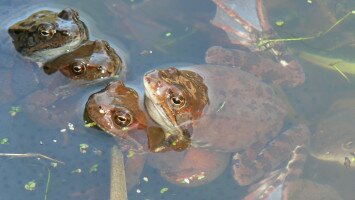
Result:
[334,139]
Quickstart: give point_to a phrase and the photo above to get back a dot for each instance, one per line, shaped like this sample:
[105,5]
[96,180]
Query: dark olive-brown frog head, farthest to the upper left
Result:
[46,34]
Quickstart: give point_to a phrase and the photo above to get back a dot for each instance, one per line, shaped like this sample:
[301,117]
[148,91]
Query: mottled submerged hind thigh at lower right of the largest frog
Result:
[251,167]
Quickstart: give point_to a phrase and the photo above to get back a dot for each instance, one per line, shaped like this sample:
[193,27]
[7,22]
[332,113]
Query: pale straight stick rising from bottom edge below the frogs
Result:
[118,178]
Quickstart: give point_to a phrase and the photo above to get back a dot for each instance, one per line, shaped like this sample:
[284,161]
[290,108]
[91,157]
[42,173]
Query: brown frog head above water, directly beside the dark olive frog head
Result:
[91,61]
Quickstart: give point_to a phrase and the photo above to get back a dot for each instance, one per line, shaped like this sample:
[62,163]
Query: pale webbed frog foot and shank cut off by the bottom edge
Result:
[277,184]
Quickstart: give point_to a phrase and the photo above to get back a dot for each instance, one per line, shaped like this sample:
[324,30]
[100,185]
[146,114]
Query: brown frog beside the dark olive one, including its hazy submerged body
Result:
[91,65]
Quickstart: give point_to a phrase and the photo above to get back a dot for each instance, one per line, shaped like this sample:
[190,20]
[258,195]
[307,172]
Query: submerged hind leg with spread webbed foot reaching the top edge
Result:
[246,25]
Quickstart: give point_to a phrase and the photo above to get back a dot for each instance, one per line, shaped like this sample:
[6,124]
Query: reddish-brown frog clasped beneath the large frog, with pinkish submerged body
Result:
[118,111]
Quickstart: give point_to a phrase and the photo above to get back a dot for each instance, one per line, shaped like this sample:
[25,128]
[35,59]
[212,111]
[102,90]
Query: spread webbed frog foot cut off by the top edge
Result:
[246,24]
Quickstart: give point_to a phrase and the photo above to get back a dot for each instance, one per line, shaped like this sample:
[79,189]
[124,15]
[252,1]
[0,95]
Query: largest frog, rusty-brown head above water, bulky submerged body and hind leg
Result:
[225,109]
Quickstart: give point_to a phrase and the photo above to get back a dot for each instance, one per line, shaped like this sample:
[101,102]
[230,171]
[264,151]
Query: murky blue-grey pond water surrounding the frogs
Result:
[159,33]
